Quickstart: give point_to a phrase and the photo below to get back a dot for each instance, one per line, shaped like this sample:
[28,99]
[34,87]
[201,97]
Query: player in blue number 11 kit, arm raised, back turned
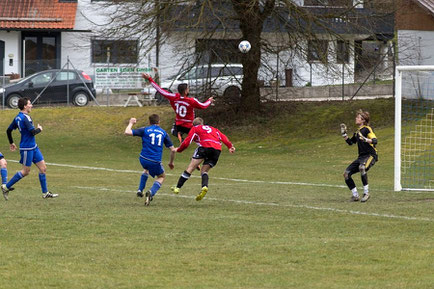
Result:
[153,139]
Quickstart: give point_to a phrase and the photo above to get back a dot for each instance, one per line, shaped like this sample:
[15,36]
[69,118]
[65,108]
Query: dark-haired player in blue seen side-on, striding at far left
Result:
[29,150]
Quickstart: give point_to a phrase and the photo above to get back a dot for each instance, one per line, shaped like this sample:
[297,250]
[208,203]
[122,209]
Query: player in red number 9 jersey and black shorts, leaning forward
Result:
[209,140]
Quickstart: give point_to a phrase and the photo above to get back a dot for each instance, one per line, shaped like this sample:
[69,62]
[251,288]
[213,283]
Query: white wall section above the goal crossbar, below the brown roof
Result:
[415,47]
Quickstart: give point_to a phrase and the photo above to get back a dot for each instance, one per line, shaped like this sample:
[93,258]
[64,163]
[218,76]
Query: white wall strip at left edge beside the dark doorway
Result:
[12,48]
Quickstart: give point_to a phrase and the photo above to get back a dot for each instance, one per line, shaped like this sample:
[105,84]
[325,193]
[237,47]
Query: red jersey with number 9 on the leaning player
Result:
[205,136]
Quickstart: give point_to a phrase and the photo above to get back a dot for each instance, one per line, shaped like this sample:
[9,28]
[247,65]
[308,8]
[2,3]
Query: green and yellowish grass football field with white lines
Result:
[277,214]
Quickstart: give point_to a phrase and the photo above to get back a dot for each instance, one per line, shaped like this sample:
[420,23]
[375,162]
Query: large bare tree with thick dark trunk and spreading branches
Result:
[269,25]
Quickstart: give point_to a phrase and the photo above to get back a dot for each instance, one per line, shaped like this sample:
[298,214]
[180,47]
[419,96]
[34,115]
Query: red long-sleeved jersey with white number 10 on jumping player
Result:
[183,106]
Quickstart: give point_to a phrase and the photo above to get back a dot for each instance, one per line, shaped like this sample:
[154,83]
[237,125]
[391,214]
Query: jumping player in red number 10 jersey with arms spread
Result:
[182,104]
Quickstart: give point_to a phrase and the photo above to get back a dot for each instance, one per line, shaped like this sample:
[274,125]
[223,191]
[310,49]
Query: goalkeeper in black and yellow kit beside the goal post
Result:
[366,142]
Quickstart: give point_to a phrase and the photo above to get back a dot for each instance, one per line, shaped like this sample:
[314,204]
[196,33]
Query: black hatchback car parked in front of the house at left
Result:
[80,86]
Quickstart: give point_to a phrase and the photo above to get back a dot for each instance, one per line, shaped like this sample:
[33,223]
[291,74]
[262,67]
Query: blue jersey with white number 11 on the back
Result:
[153,138]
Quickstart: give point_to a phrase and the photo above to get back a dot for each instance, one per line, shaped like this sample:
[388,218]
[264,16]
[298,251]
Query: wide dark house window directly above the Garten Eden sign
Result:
[114,51]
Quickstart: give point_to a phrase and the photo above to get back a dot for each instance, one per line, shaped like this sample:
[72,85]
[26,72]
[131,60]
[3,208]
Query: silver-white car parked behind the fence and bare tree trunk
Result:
[205,81]
